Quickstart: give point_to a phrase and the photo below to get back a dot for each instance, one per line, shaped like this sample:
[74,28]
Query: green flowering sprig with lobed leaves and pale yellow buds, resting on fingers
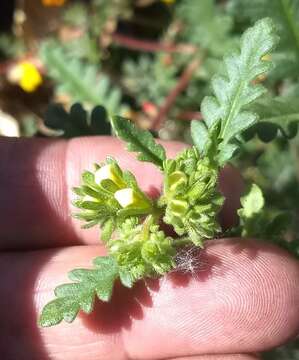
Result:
[130,222]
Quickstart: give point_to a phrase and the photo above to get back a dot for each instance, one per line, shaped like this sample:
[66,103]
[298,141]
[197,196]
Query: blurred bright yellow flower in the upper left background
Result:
[26,75]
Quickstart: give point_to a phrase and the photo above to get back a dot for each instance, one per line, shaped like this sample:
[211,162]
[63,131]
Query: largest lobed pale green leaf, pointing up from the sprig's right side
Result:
[228,109]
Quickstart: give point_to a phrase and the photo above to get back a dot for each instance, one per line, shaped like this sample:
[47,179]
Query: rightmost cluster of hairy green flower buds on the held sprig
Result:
[191,196]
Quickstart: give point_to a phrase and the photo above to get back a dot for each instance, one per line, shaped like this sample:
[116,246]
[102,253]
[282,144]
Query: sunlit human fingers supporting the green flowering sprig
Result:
[243,299]
